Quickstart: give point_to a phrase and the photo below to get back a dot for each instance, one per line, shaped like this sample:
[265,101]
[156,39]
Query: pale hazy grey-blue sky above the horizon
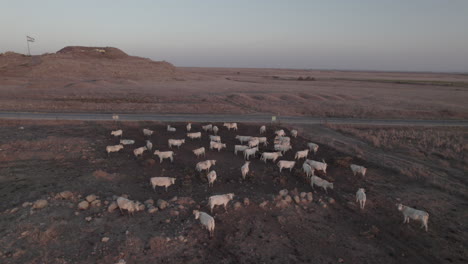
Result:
[400,35]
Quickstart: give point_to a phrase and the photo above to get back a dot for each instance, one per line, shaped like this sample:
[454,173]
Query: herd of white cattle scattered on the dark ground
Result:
[249,145]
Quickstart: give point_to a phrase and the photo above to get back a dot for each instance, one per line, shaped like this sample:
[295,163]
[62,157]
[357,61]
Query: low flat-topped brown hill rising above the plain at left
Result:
[78,64]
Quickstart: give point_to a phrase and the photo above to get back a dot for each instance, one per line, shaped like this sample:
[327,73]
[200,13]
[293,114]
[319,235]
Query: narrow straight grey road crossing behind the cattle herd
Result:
[227,118]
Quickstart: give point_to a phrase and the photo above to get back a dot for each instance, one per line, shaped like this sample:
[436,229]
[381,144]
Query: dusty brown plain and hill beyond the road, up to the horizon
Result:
[83,79]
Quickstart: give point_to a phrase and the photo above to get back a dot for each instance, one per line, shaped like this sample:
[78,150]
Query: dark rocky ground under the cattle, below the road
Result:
[40,159]
